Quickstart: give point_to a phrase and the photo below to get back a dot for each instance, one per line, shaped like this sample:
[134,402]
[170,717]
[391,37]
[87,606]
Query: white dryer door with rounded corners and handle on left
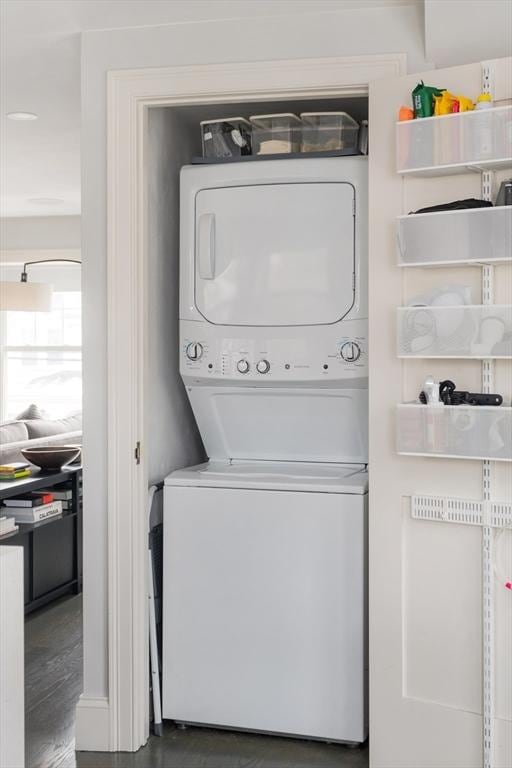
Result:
[275,254]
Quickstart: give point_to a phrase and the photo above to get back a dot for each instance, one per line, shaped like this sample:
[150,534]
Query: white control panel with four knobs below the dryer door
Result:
[286,354]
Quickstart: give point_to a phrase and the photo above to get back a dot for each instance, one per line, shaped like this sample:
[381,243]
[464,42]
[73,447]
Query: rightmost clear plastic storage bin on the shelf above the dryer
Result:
[328,131]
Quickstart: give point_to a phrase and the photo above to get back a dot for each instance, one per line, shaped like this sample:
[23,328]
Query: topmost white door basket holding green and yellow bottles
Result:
[480,140]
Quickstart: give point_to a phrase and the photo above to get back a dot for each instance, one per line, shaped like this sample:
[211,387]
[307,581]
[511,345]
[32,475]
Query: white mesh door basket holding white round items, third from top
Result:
[468,331]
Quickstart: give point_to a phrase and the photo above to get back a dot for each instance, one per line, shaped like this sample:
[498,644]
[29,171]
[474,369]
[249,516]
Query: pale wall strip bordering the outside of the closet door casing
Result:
[337,32]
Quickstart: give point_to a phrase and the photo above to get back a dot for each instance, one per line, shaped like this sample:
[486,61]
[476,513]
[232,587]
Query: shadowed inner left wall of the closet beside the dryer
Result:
[173,439]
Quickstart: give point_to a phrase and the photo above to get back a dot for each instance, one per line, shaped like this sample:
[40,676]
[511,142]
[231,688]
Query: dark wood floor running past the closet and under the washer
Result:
[53,656]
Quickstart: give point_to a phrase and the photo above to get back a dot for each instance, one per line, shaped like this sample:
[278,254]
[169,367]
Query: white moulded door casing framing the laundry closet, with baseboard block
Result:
[130,94]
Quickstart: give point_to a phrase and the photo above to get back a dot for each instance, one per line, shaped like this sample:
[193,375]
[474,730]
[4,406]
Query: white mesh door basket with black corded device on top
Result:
[455,431]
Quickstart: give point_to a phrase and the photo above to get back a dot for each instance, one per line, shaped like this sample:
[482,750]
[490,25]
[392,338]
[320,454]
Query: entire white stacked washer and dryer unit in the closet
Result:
[265,545]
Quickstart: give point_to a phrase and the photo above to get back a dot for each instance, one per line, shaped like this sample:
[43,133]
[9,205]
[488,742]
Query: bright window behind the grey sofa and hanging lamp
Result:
[42,358]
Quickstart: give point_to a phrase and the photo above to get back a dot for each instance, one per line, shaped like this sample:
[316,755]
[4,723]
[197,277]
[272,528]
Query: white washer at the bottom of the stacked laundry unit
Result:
[265,598]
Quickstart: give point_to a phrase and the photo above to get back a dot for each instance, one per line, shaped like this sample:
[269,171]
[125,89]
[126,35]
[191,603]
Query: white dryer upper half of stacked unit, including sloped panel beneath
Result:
[273,308]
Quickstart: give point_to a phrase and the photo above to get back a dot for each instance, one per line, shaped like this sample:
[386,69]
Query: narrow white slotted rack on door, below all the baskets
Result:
[439,509]
